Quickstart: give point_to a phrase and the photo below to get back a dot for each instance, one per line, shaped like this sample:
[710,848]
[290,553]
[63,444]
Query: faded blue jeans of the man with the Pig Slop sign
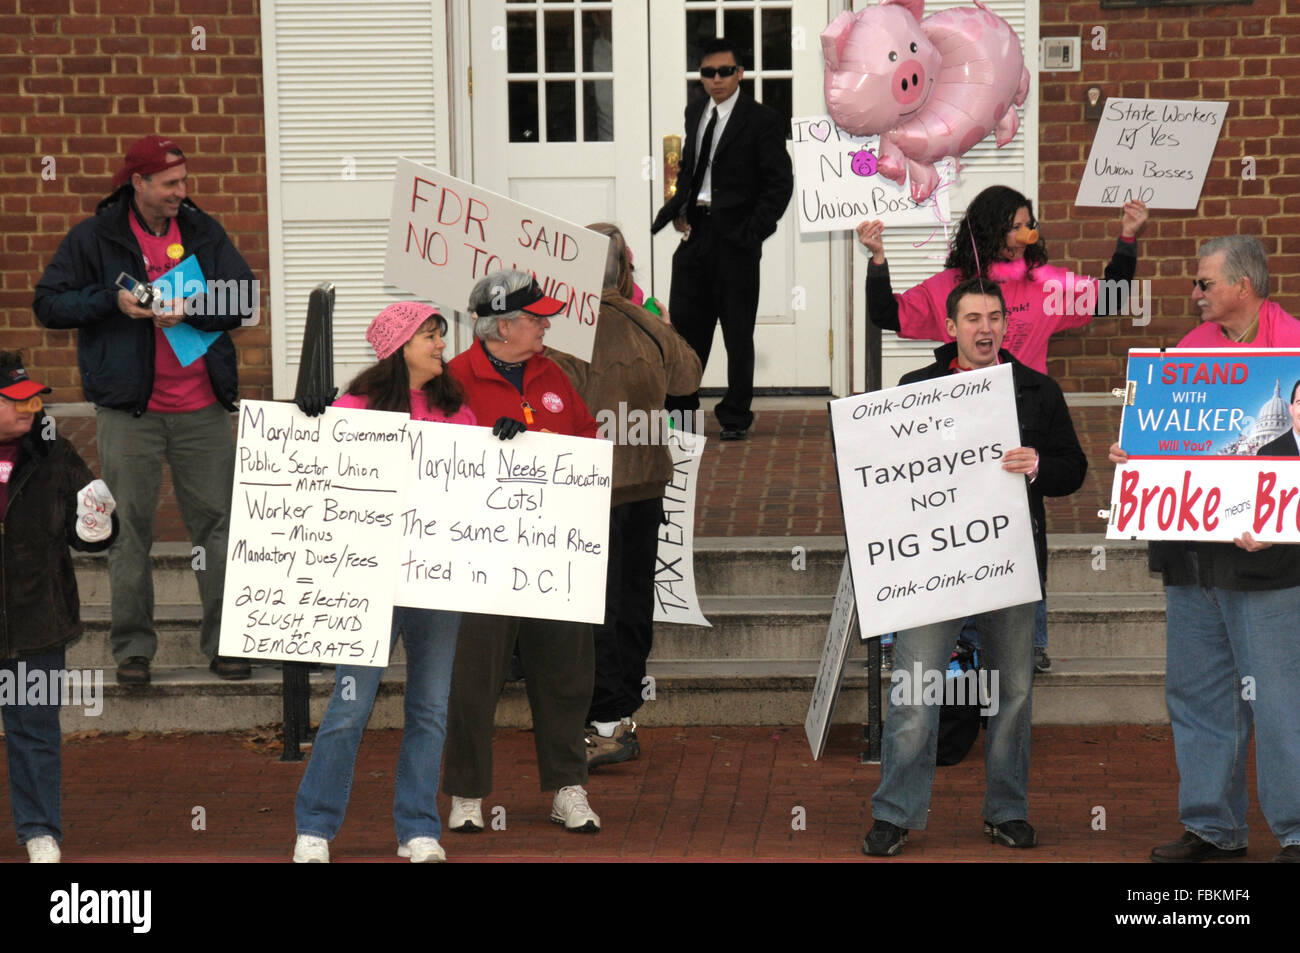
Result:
[912,730]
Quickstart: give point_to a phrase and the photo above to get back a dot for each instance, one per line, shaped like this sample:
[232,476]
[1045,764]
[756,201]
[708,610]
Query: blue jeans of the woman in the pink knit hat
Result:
[431,649]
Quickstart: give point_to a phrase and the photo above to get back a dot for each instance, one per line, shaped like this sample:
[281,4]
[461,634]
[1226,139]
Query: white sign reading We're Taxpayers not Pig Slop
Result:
[937,529]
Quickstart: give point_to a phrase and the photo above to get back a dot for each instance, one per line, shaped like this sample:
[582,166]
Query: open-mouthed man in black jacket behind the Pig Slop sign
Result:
[1054,465]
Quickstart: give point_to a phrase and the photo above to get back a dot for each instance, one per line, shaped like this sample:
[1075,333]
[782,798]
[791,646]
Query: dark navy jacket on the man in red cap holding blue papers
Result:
[115,352]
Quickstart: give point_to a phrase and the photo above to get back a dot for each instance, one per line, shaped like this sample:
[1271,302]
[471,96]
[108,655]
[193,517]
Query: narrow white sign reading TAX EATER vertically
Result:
[675,560]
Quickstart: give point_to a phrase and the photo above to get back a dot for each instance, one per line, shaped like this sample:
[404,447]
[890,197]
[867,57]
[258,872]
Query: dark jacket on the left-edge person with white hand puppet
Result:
[40,609]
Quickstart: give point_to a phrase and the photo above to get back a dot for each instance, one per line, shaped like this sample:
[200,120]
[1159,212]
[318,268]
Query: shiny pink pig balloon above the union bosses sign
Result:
[929,88]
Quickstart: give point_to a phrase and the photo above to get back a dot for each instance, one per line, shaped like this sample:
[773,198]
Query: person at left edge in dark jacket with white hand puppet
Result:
[49,501]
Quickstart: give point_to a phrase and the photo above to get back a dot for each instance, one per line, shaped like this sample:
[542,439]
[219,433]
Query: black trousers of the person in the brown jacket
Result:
[625,640]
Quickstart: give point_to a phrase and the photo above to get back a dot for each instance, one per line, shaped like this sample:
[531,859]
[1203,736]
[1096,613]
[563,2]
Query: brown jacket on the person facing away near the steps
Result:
[638,361]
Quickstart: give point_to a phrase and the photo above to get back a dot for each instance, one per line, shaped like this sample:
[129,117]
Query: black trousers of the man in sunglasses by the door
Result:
[716,279]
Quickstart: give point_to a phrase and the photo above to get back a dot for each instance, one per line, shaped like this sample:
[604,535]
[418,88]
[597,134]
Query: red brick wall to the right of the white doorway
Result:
[1249,57]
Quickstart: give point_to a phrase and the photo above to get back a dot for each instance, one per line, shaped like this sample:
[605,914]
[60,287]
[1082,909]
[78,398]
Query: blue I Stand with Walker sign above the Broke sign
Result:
[1210,402]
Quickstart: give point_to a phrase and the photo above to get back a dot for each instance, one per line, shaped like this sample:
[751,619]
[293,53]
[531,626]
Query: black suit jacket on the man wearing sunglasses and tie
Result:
[752,179]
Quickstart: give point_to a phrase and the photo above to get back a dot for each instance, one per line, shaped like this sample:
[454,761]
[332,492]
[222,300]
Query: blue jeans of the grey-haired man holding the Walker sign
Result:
[1215,639]
